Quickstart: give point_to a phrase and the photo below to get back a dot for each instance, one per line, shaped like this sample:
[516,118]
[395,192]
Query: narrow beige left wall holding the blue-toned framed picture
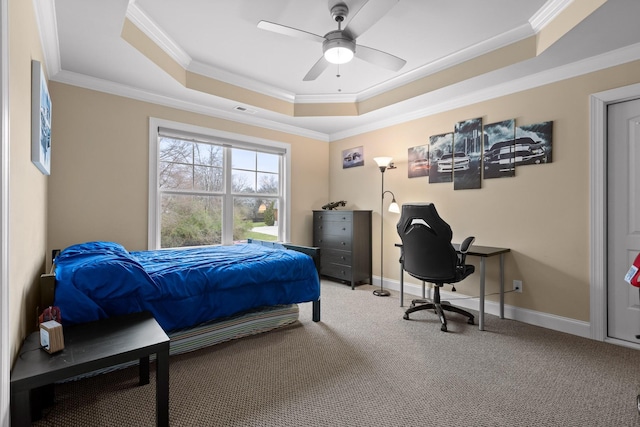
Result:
[28,186]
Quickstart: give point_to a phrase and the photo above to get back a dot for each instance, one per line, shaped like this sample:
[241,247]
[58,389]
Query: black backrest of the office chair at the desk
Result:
[426,244]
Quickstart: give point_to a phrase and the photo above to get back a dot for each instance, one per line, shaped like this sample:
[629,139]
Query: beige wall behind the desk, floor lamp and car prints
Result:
[542,213]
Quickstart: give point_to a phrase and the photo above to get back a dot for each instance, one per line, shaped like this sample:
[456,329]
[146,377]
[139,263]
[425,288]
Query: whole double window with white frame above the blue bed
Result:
[209,187]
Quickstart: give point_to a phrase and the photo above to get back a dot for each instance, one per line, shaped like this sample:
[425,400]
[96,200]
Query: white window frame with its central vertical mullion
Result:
[228,139]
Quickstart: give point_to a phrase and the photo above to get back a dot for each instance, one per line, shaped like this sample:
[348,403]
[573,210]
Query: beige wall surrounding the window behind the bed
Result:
[100,172]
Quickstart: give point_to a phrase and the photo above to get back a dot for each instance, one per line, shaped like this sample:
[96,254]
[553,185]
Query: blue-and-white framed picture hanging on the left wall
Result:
[40,120]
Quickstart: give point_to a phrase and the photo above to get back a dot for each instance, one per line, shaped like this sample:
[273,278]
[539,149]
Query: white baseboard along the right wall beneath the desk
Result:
[532,317]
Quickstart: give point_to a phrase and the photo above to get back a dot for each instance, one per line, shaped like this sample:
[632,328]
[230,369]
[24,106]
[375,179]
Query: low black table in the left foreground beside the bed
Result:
[89,347]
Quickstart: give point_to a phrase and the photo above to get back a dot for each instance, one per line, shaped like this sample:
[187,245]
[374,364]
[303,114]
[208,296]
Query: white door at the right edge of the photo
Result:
[623,223]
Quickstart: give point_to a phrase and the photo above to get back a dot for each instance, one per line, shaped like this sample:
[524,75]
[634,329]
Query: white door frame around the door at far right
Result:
[598,209]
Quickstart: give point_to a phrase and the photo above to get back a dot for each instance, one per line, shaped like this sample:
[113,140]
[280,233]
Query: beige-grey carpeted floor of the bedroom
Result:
[363,365]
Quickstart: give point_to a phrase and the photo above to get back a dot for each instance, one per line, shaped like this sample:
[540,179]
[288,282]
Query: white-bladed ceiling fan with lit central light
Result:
[339,46]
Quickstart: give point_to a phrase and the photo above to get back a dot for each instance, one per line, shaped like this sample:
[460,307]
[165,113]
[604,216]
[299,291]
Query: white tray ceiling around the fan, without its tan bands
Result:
[220,39]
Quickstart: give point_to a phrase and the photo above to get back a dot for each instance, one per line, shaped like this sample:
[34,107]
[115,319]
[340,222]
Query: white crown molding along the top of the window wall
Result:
[92,83]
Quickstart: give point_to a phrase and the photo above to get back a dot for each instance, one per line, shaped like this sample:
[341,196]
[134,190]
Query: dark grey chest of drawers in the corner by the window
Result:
[344,239]
